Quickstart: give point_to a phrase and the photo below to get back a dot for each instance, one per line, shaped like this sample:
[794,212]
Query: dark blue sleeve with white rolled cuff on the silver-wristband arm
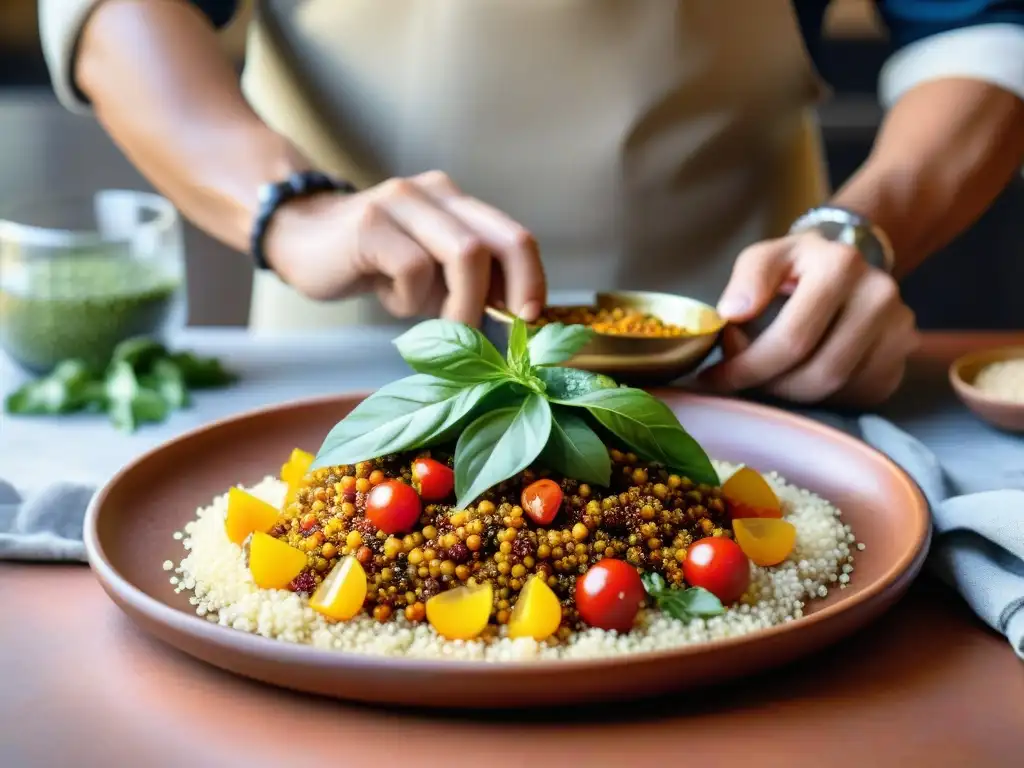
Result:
[935,39]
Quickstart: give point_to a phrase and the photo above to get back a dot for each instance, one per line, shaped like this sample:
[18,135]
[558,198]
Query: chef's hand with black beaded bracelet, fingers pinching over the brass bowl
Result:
[421,244]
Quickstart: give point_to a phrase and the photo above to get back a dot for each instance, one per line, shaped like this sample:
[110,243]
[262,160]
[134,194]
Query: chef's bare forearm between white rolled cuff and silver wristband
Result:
[945,153]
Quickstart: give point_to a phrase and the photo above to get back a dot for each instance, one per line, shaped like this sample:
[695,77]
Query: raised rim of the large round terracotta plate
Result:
[131,599]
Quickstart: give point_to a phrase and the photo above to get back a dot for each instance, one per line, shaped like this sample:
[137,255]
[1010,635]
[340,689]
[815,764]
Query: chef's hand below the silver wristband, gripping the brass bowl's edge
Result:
[843,336]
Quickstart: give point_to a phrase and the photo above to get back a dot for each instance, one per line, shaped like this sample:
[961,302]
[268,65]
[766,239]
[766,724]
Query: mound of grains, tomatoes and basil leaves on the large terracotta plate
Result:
[543,524]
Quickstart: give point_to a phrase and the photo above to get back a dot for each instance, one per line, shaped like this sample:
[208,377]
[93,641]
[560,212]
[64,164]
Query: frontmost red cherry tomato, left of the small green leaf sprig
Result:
[610,594]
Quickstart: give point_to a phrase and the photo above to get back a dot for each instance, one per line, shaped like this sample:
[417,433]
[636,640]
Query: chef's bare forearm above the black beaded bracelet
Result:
[169,97]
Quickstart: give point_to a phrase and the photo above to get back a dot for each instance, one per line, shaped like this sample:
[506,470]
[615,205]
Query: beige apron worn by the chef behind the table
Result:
[645,143]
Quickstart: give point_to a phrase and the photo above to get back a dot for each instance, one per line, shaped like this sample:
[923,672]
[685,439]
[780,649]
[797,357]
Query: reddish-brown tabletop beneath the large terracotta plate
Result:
[927,685]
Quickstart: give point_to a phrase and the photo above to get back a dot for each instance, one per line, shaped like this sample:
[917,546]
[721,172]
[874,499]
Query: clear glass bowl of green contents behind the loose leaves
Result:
[80,275]
